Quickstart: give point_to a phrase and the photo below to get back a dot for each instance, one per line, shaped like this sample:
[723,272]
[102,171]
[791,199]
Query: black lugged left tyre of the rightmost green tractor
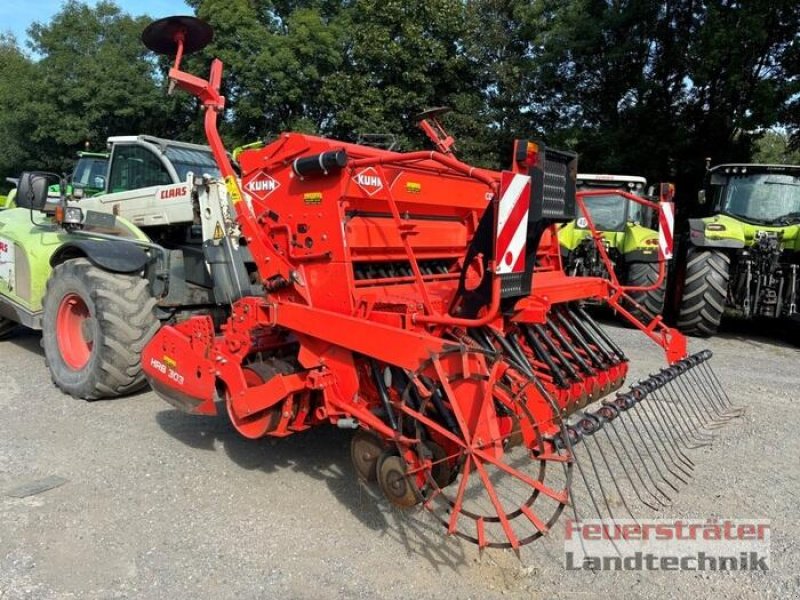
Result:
[704,292]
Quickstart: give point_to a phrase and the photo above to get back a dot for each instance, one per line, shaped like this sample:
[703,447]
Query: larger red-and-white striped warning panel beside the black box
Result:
[512,222]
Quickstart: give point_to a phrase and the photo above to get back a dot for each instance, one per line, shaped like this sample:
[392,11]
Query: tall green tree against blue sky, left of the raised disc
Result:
[97,80]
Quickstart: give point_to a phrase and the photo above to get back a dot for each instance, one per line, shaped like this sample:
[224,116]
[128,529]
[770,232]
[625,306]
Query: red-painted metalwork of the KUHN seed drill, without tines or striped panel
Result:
[362,269]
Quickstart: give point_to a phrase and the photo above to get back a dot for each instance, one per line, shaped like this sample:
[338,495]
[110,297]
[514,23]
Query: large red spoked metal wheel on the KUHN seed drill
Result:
[481,460]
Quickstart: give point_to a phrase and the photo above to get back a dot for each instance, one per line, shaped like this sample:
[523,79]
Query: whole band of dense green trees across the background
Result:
[638,86]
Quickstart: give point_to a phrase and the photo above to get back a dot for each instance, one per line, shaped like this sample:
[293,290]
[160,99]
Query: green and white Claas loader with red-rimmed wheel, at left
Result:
[97,274]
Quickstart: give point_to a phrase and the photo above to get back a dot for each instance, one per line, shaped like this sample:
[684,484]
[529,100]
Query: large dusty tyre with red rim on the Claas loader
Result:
[116,320]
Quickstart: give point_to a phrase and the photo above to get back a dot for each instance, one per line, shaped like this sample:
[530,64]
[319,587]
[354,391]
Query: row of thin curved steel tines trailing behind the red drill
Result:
[647,435]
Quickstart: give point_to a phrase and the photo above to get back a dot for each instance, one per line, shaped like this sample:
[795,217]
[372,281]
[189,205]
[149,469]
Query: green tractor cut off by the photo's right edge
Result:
[740,254]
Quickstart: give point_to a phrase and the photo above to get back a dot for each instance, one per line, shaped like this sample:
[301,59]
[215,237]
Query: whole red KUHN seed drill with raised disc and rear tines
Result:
[422,303]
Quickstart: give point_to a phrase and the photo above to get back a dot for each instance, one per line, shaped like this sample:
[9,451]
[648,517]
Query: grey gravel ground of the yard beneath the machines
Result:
[158,504]
